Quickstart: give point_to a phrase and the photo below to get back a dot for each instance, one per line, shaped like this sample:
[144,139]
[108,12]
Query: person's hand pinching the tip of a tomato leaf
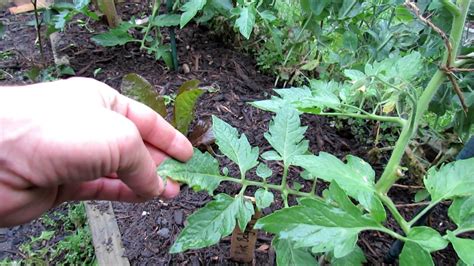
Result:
[78,139]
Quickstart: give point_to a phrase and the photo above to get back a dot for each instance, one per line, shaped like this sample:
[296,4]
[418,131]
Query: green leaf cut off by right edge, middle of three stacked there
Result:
[461,212]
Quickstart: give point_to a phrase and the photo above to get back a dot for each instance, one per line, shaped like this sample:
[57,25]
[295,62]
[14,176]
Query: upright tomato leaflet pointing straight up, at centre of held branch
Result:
[286,135]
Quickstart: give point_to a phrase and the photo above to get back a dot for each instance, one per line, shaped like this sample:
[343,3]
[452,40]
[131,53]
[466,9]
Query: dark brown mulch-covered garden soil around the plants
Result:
[149,229]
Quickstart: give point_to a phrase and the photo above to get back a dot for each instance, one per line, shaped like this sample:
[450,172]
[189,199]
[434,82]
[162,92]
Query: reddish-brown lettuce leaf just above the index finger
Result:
[139,89]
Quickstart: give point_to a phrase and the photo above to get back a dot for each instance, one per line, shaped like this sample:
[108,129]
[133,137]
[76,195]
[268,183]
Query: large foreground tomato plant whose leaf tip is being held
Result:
[325,227]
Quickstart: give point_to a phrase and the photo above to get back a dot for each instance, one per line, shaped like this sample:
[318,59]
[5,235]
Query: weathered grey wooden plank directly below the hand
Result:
[105,234]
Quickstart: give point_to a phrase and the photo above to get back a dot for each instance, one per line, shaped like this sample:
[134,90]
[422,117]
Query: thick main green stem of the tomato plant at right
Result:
[389,176]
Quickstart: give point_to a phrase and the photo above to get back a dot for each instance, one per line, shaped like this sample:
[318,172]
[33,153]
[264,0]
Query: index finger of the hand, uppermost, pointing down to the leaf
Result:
[153,128]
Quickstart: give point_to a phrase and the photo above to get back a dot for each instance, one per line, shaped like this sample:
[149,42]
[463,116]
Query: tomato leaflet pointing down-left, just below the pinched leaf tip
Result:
[209,224]
